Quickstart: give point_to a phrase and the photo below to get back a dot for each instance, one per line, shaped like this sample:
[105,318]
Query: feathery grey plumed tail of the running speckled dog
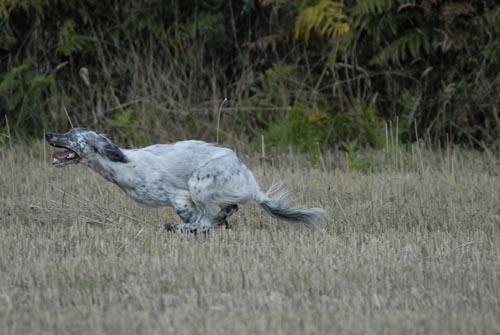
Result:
[275,202]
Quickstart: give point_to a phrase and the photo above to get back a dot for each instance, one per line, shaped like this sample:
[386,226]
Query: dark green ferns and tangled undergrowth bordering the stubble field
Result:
[307,73]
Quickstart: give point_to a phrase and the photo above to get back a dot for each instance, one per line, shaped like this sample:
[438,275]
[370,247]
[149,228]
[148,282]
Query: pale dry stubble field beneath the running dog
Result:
[412,248]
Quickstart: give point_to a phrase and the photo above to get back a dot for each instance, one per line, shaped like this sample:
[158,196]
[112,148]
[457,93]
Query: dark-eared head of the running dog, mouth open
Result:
[83,145]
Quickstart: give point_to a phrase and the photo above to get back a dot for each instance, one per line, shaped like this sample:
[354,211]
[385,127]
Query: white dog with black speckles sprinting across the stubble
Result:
[203,182]
